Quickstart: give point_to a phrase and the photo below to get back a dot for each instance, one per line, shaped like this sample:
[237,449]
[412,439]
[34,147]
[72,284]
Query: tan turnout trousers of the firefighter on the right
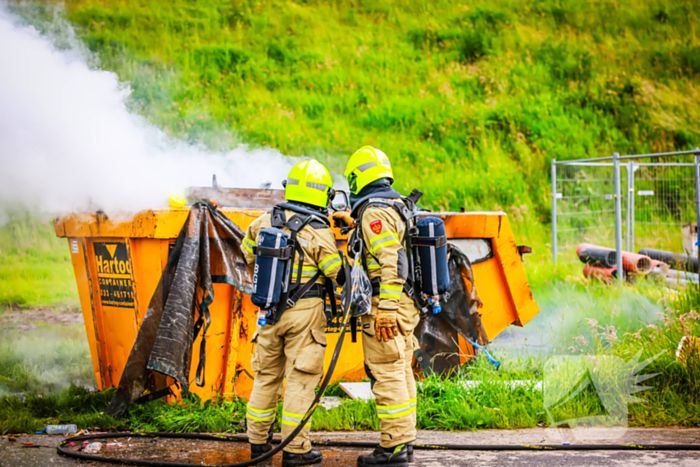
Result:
[388,365]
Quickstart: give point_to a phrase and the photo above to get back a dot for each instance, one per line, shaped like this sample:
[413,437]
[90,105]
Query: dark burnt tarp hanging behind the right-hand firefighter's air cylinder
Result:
[438,334]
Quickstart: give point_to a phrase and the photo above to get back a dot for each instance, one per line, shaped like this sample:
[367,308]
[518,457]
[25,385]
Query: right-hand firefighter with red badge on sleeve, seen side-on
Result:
[387,331]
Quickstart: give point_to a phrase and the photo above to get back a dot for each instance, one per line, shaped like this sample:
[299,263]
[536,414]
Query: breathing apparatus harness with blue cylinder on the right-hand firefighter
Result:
[427,281]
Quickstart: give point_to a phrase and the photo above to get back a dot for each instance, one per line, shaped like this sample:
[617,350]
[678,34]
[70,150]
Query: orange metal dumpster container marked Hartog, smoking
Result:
[118,263]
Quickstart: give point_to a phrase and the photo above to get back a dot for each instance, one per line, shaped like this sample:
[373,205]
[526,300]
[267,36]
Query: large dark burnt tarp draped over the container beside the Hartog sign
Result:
[207,251]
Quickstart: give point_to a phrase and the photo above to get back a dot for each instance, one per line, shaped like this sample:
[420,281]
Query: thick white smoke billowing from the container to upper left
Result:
[68,142]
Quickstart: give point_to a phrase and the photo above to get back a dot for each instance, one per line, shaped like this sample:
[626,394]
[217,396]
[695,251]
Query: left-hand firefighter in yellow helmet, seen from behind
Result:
[294,346]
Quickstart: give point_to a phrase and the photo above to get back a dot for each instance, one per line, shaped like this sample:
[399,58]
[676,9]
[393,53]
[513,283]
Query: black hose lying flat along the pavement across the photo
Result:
[350,444]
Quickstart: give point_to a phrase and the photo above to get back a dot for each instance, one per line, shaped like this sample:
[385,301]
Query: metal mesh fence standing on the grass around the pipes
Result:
[658,203]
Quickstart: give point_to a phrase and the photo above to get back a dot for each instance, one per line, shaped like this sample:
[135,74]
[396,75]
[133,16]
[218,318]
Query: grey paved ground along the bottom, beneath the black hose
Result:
[12,454]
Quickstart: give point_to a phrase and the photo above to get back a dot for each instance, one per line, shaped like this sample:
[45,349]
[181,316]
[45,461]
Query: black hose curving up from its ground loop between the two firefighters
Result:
[61,448]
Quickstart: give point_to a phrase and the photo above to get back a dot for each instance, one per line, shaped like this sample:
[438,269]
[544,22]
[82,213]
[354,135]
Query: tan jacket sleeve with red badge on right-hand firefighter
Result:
[383,231]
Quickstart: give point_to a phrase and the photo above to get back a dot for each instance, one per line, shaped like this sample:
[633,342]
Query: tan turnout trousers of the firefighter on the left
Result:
[293,348]
